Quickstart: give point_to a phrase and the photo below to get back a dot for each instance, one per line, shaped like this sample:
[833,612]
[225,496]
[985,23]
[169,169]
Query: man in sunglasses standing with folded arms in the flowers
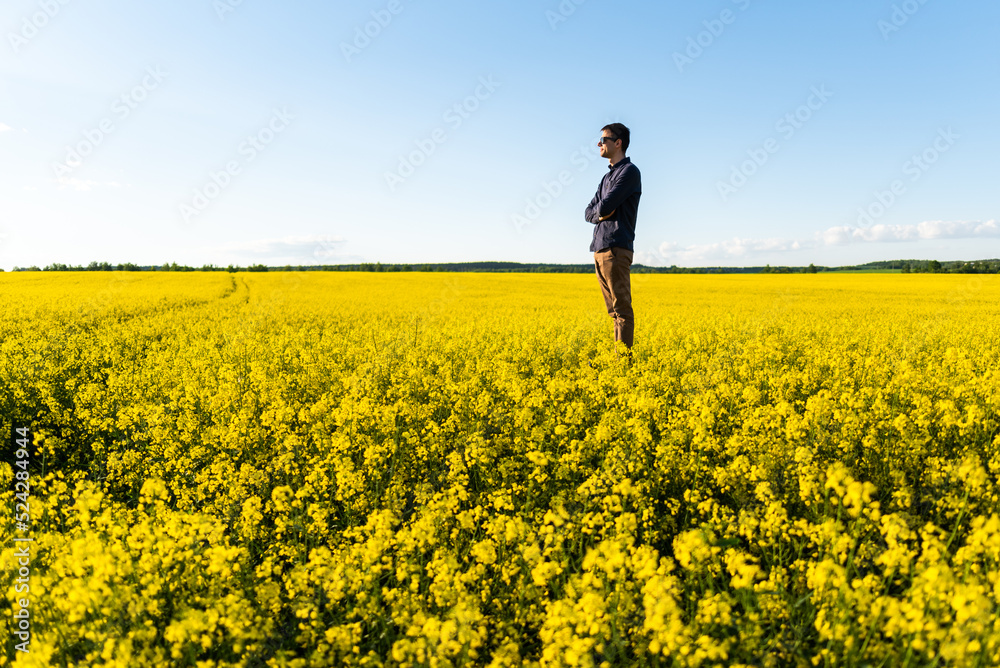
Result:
[613,211]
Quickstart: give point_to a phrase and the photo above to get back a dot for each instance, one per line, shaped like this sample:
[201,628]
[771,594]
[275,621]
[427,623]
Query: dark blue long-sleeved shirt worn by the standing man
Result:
[619,192]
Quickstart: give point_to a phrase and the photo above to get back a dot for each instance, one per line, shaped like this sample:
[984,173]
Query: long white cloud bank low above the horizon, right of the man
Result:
[746,250]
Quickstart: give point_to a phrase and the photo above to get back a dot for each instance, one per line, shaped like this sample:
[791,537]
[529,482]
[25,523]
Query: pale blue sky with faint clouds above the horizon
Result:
[220,131]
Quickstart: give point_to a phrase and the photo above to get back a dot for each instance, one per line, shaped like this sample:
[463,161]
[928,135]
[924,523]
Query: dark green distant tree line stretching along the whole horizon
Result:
[901,266]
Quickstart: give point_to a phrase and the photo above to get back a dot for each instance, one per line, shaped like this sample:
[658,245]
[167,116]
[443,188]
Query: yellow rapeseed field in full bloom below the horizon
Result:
[428,469]
